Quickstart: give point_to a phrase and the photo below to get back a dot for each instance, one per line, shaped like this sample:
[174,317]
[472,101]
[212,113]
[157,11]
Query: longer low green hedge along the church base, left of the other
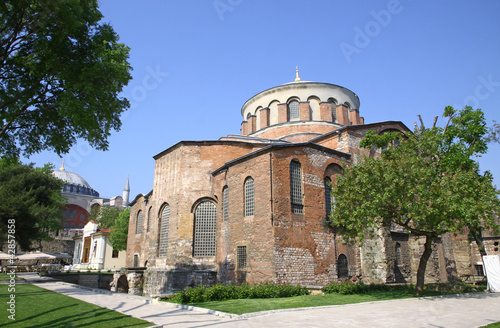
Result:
[221,292]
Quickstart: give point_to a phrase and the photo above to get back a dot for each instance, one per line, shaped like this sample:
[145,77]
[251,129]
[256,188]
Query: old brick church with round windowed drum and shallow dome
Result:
[251,207]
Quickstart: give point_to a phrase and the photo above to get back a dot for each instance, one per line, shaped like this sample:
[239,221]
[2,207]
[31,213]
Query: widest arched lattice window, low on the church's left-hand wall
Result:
[205,220]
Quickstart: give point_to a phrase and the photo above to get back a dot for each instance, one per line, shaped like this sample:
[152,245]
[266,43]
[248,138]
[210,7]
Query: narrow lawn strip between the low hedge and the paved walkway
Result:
[242,306]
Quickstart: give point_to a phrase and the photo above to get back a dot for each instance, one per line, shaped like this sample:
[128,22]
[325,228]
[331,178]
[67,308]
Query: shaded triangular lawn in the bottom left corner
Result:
[38,307]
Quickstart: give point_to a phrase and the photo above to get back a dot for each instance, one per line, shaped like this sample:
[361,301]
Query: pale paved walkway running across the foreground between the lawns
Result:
[466,310]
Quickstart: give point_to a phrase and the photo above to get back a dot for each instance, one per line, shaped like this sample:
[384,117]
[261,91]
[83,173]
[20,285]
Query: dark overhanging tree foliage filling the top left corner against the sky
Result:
[61,71]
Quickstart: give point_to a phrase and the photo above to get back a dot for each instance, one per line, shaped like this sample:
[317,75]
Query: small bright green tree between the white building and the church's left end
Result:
[116,221]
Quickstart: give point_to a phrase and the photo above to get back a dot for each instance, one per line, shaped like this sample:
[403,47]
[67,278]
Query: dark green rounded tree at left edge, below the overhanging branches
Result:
[31,203]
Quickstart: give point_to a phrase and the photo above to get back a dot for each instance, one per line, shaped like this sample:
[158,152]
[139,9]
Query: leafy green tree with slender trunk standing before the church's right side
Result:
[428,184]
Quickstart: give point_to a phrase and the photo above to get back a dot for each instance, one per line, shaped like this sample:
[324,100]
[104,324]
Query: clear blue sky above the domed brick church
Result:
[196,63]
